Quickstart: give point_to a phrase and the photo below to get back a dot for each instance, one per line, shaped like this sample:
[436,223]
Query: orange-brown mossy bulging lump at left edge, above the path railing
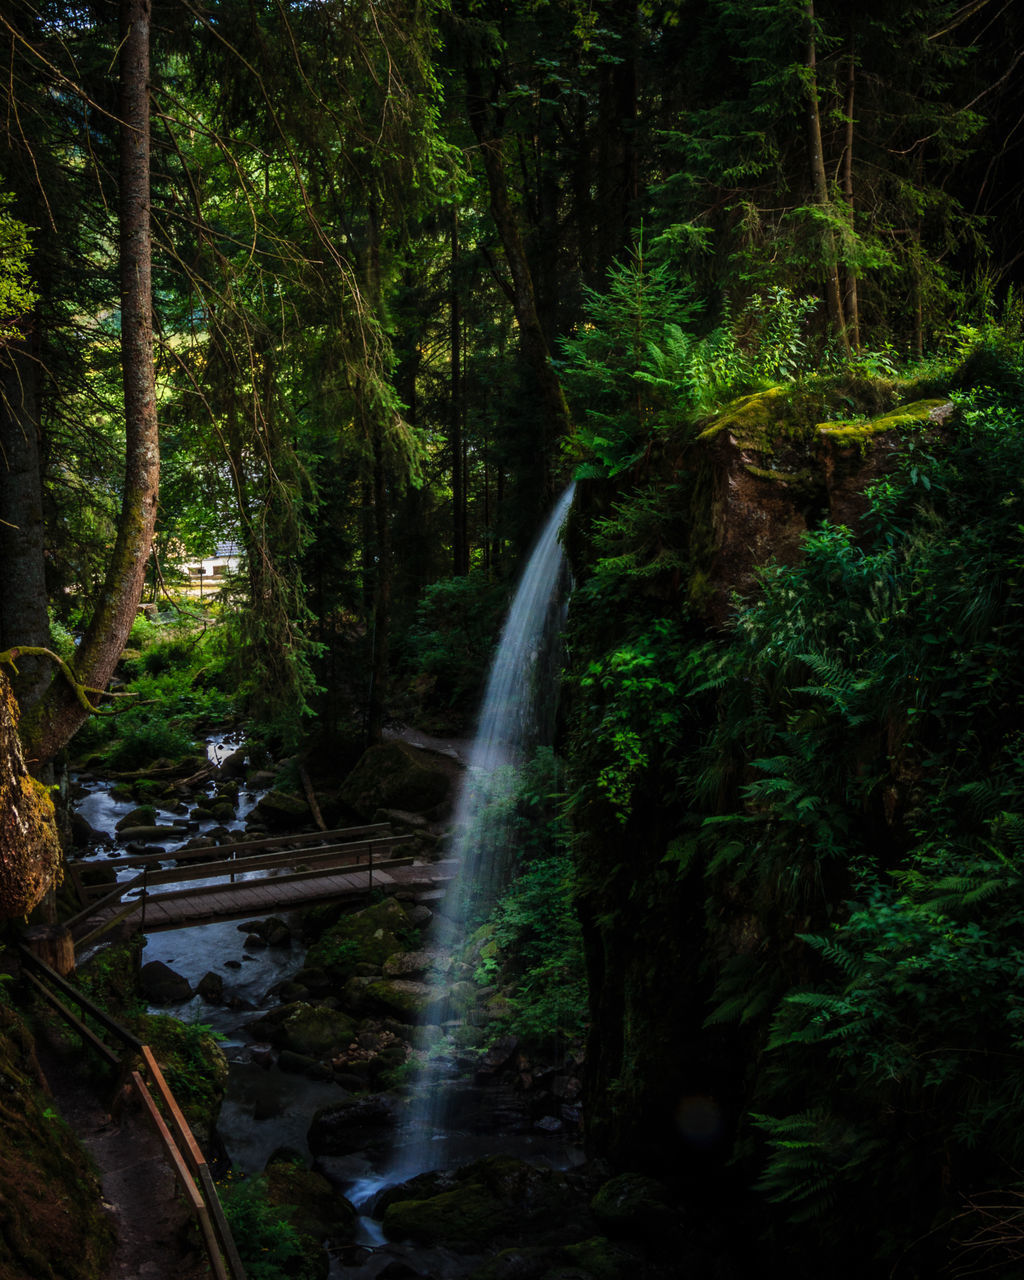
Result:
[30,848]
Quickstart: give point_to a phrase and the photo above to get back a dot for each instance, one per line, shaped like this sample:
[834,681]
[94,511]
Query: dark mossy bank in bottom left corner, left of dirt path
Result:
[52,1219]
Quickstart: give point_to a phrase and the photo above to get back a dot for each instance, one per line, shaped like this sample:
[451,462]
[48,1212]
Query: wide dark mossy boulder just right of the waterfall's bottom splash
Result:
[493,1199]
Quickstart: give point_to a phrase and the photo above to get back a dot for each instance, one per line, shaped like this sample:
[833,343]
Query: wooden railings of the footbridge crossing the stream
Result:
[337,851]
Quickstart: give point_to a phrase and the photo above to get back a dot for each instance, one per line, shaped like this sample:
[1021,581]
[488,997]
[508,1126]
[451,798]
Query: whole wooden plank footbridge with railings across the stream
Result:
[253,877]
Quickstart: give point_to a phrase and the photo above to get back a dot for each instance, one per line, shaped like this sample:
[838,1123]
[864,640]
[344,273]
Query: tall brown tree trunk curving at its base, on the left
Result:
[58,715]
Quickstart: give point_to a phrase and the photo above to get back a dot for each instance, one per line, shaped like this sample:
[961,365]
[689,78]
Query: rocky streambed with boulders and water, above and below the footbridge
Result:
[337,1022]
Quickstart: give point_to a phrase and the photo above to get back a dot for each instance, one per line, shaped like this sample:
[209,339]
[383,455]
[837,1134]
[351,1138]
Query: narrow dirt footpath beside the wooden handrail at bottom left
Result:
[156,1235]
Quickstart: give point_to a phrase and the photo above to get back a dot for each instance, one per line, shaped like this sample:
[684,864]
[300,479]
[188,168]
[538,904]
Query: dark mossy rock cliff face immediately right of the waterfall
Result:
[664,1086]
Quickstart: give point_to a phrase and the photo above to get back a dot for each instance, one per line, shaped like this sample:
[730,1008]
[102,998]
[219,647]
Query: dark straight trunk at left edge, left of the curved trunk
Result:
[24,618]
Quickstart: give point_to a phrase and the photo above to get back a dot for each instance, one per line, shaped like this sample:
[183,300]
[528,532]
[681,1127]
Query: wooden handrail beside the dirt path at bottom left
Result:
[177,1140]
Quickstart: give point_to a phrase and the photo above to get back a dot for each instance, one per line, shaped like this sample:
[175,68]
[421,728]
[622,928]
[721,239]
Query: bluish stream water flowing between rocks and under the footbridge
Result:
[267,1109]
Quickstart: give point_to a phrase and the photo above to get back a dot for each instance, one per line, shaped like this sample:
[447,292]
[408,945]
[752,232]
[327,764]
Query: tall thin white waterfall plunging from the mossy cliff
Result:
[518,715]
